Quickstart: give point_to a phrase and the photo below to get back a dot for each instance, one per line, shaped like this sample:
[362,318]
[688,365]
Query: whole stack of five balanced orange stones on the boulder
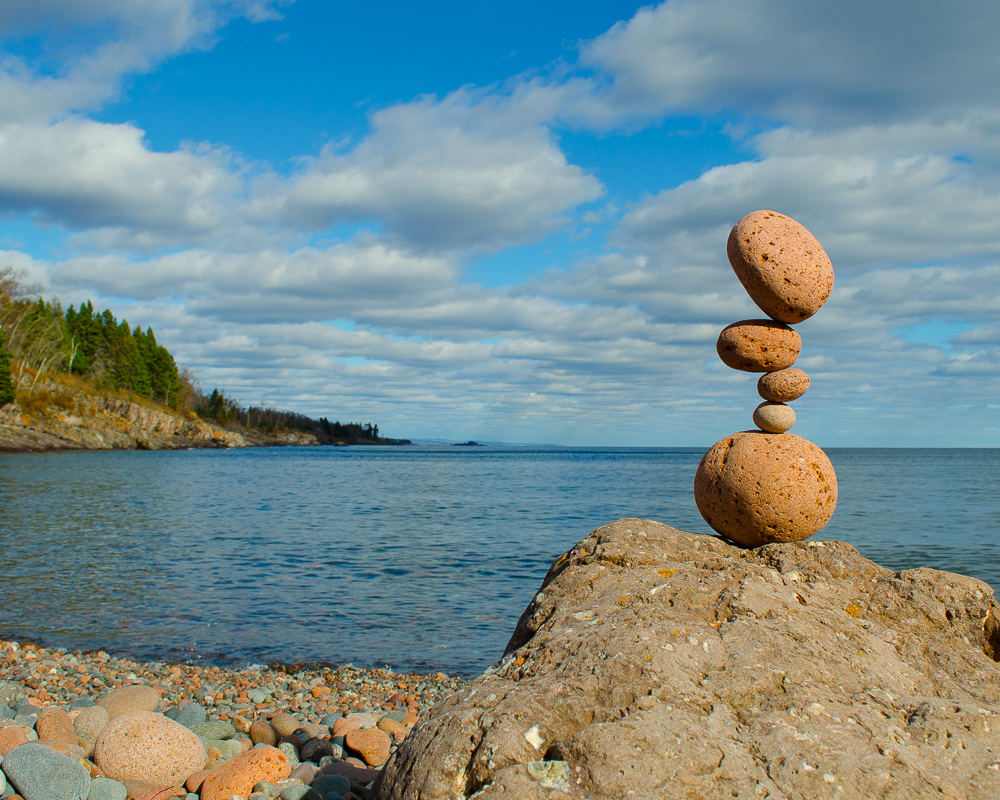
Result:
[767,485]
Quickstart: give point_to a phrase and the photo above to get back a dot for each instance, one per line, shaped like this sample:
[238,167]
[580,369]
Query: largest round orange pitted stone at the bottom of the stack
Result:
[755,488]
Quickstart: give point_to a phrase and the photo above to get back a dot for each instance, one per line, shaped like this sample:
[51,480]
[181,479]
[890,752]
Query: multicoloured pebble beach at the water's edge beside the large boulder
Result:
[92,726]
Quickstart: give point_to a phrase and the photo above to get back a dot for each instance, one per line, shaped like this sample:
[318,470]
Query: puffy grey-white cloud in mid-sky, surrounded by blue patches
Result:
[469,171]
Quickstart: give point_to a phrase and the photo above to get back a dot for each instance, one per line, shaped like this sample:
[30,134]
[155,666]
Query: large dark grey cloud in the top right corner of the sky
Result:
[825,65]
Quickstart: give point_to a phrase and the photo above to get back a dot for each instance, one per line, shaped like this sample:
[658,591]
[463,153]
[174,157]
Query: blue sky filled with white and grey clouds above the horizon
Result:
[507,220]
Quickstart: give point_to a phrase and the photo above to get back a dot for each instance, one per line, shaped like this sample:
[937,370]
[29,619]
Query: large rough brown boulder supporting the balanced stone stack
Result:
[661,664]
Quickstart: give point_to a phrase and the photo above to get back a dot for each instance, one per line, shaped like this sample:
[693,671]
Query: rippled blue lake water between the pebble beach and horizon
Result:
[416,557]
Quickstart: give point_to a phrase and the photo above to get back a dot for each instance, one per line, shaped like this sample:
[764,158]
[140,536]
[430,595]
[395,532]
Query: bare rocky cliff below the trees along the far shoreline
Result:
[74,419]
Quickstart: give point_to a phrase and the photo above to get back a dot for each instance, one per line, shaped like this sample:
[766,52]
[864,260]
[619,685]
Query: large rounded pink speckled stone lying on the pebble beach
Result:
[150,747]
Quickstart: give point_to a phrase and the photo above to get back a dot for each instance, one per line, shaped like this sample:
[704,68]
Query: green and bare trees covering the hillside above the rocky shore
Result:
[39,337]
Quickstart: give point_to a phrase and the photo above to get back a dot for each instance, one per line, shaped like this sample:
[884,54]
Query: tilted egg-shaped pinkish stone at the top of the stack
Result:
[786,272]
